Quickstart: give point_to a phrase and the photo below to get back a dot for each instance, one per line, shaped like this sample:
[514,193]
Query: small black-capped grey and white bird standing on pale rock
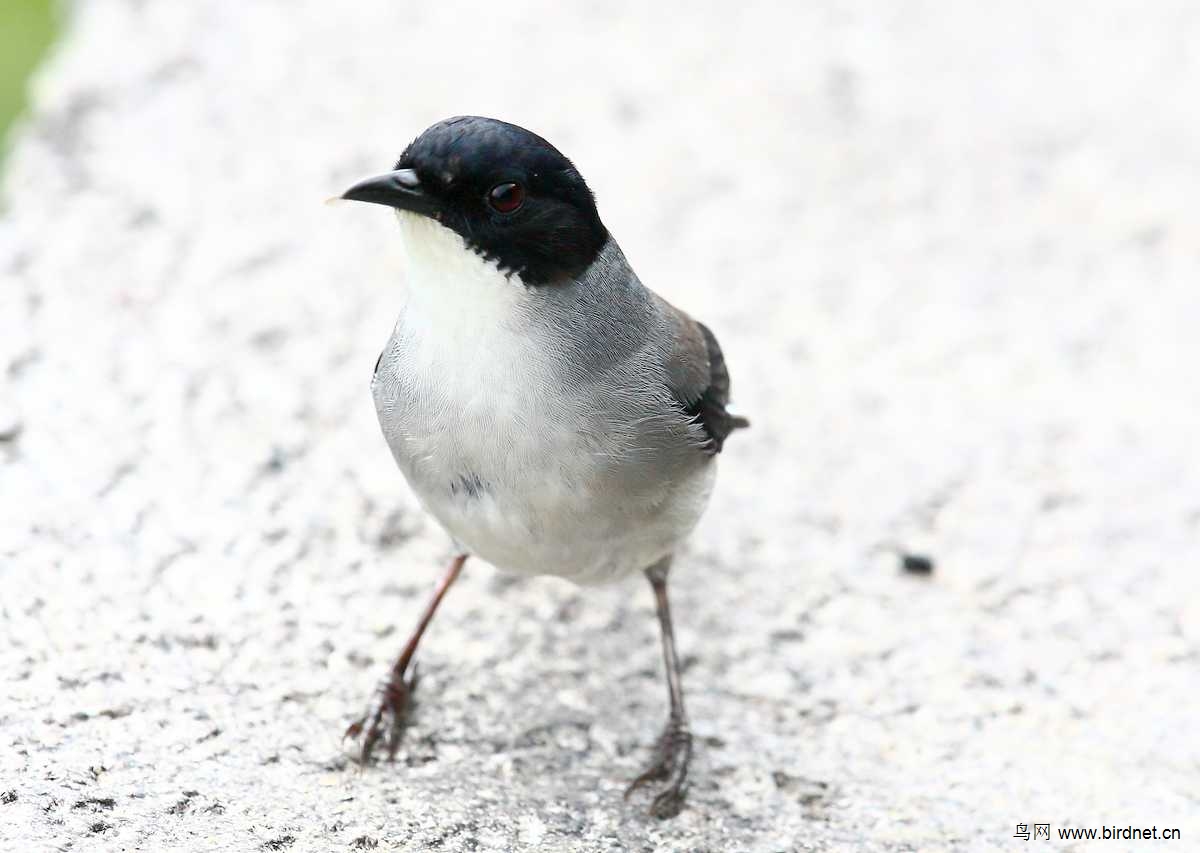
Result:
[553,413]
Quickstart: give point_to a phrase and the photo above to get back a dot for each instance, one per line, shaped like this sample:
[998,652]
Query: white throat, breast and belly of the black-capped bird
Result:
[518,467]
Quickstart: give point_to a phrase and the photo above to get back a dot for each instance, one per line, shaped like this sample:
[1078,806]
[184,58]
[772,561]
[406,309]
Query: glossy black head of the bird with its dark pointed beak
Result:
[508,193]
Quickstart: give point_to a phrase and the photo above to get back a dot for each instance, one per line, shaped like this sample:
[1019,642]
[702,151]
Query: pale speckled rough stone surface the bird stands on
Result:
[952,255]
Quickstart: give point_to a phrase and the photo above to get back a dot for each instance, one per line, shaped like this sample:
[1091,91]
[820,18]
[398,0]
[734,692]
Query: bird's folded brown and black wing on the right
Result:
[699,379]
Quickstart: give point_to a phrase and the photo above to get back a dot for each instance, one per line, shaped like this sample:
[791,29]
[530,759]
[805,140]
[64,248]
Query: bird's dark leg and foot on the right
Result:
[674,750]
